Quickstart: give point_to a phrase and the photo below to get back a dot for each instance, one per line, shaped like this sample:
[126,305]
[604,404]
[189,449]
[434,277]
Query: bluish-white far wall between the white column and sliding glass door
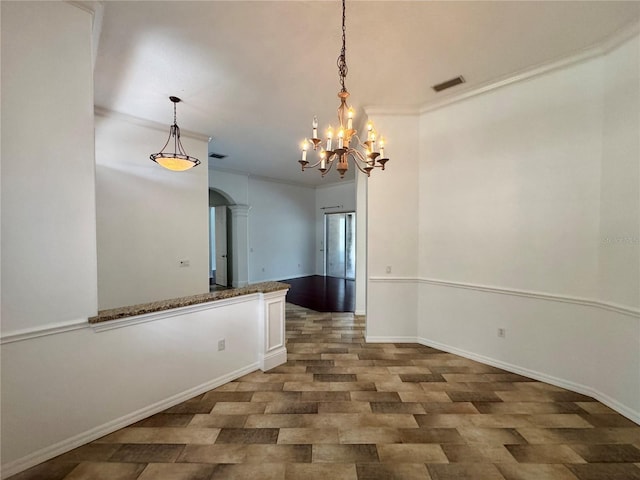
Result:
[281,230]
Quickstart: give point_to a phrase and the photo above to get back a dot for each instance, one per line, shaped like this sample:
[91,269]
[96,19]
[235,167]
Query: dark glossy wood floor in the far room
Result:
[322,294]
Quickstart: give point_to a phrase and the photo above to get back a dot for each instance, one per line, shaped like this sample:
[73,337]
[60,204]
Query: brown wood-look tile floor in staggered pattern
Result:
[344,409]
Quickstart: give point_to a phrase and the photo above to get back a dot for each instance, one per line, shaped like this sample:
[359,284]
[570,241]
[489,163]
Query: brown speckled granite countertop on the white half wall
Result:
[141,309]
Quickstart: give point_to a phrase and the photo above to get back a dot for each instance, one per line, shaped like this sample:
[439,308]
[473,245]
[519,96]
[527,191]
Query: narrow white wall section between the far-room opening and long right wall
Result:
[392,210]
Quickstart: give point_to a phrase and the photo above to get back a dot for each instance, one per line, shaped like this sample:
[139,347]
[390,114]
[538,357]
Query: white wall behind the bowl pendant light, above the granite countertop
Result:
[148,218]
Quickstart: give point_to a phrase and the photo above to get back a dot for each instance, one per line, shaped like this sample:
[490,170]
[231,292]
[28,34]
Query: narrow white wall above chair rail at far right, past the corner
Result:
[619,244]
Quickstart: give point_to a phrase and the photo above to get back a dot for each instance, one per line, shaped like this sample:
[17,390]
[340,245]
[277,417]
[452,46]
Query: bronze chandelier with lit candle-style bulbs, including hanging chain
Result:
[348,145]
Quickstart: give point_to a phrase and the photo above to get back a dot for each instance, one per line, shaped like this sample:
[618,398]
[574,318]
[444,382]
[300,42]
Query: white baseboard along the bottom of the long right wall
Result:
[631,414]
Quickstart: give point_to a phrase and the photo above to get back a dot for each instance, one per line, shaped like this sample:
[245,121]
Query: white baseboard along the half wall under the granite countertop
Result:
[64,446]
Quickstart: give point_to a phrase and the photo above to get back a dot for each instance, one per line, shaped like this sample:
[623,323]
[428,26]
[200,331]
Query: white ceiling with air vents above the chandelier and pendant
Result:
[252,74]
